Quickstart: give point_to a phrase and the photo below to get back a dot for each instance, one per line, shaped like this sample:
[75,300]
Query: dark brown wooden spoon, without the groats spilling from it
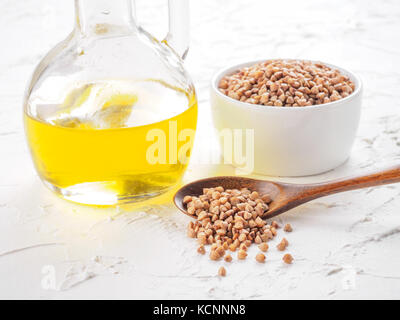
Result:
[286,196]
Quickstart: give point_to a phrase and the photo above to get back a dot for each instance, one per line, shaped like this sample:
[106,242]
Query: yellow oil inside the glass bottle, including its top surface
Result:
[113,142]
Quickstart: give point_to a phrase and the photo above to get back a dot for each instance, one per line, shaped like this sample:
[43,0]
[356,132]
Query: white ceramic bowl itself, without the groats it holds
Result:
[292,141]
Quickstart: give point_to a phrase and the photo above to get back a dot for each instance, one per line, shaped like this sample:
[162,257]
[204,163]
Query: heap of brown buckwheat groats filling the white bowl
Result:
[287,83]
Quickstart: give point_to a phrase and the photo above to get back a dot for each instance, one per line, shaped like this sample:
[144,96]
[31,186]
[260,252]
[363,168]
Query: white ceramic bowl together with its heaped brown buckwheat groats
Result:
[304,115]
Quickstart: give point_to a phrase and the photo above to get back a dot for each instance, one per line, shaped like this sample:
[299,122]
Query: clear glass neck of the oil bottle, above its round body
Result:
[99,17]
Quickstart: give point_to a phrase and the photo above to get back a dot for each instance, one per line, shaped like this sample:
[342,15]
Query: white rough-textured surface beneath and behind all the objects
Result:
[123,253]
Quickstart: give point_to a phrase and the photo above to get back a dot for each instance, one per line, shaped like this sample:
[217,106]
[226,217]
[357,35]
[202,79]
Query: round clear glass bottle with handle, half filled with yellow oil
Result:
[110,112]
